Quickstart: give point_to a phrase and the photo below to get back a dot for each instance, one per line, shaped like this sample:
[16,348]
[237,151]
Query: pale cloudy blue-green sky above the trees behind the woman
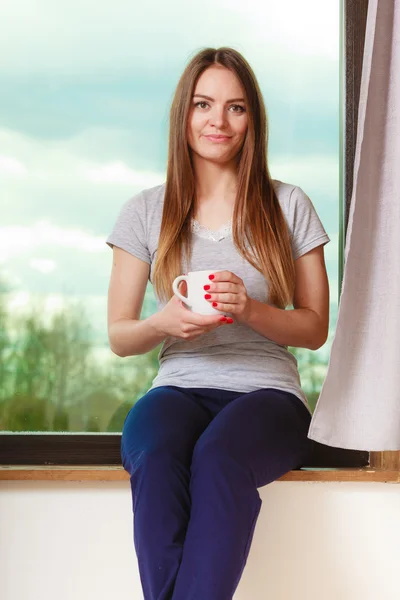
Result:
[86,89]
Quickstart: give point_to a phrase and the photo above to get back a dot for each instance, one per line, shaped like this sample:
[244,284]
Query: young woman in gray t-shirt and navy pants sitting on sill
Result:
[226,413]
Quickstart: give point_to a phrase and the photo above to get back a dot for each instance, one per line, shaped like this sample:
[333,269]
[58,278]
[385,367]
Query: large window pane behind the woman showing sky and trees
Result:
[84,108]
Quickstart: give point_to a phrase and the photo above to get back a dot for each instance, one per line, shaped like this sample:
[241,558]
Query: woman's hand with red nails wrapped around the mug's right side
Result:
[227,292]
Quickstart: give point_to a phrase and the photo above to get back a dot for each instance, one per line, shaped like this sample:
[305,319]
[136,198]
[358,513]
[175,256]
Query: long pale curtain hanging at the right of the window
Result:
[359,405]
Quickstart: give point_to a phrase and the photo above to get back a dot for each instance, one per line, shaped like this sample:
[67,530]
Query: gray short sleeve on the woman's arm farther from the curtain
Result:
[130,231]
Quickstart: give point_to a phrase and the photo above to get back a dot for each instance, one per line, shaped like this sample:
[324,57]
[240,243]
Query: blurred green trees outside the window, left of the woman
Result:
[56,382]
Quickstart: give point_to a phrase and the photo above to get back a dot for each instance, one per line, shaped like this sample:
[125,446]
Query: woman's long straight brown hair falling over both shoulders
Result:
[260,231]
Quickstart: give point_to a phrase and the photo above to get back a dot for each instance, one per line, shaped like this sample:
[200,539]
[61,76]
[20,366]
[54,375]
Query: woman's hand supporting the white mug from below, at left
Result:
[178,321]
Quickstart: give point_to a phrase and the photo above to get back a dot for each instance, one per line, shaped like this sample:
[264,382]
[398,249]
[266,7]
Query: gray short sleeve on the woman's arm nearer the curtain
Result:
[307,231]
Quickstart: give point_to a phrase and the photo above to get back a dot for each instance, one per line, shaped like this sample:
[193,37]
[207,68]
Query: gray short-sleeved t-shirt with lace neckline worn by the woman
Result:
[232,357]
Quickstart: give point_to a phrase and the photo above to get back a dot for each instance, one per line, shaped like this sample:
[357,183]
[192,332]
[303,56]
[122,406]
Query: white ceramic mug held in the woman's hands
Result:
[195,281]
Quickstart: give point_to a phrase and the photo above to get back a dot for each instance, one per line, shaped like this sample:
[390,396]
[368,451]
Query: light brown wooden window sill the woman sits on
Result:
[113,473]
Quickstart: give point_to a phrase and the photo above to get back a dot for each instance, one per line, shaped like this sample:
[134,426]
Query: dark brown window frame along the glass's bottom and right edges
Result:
[104,450]
